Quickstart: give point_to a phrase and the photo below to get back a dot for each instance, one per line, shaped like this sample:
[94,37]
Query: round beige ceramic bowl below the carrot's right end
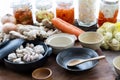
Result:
[91,40]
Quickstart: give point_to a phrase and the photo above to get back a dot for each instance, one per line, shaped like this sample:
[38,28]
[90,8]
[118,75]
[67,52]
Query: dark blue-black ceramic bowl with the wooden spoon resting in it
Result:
[76,53]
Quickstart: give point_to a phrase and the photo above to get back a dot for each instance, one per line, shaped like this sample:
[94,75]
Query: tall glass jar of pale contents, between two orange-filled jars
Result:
[87,12]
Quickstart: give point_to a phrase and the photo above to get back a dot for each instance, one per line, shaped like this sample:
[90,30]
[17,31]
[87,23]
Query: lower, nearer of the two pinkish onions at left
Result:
[7,27]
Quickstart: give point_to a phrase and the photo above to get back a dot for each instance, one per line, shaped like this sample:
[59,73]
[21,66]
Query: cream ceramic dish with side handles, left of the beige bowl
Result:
[61,41]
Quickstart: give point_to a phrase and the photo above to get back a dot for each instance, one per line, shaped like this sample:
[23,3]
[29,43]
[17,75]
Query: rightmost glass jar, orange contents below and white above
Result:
[108,11]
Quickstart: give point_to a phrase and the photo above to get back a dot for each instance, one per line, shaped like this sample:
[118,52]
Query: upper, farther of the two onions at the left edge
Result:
[8,18]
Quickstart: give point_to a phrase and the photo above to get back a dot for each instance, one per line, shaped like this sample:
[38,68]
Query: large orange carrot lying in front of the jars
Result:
[66,27]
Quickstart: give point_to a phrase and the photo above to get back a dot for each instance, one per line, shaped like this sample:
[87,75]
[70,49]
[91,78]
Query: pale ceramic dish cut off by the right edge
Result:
[116,64]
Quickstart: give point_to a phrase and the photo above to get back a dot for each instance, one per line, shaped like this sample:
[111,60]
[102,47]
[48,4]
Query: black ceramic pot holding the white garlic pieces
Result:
[29,66]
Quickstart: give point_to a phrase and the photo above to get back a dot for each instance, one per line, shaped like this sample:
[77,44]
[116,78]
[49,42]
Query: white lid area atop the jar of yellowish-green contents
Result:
[43,4]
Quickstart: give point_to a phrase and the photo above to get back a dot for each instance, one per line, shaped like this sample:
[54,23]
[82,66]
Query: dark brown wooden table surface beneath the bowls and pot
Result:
[102,71]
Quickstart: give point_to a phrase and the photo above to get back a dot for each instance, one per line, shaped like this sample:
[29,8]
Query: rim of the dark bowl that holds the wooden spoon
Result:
[75,69]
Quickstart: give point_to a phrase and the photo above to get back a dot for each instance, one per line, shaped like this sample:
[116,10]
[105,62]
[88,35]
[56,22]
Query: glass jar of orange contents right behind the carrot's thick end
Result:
[65,10]
